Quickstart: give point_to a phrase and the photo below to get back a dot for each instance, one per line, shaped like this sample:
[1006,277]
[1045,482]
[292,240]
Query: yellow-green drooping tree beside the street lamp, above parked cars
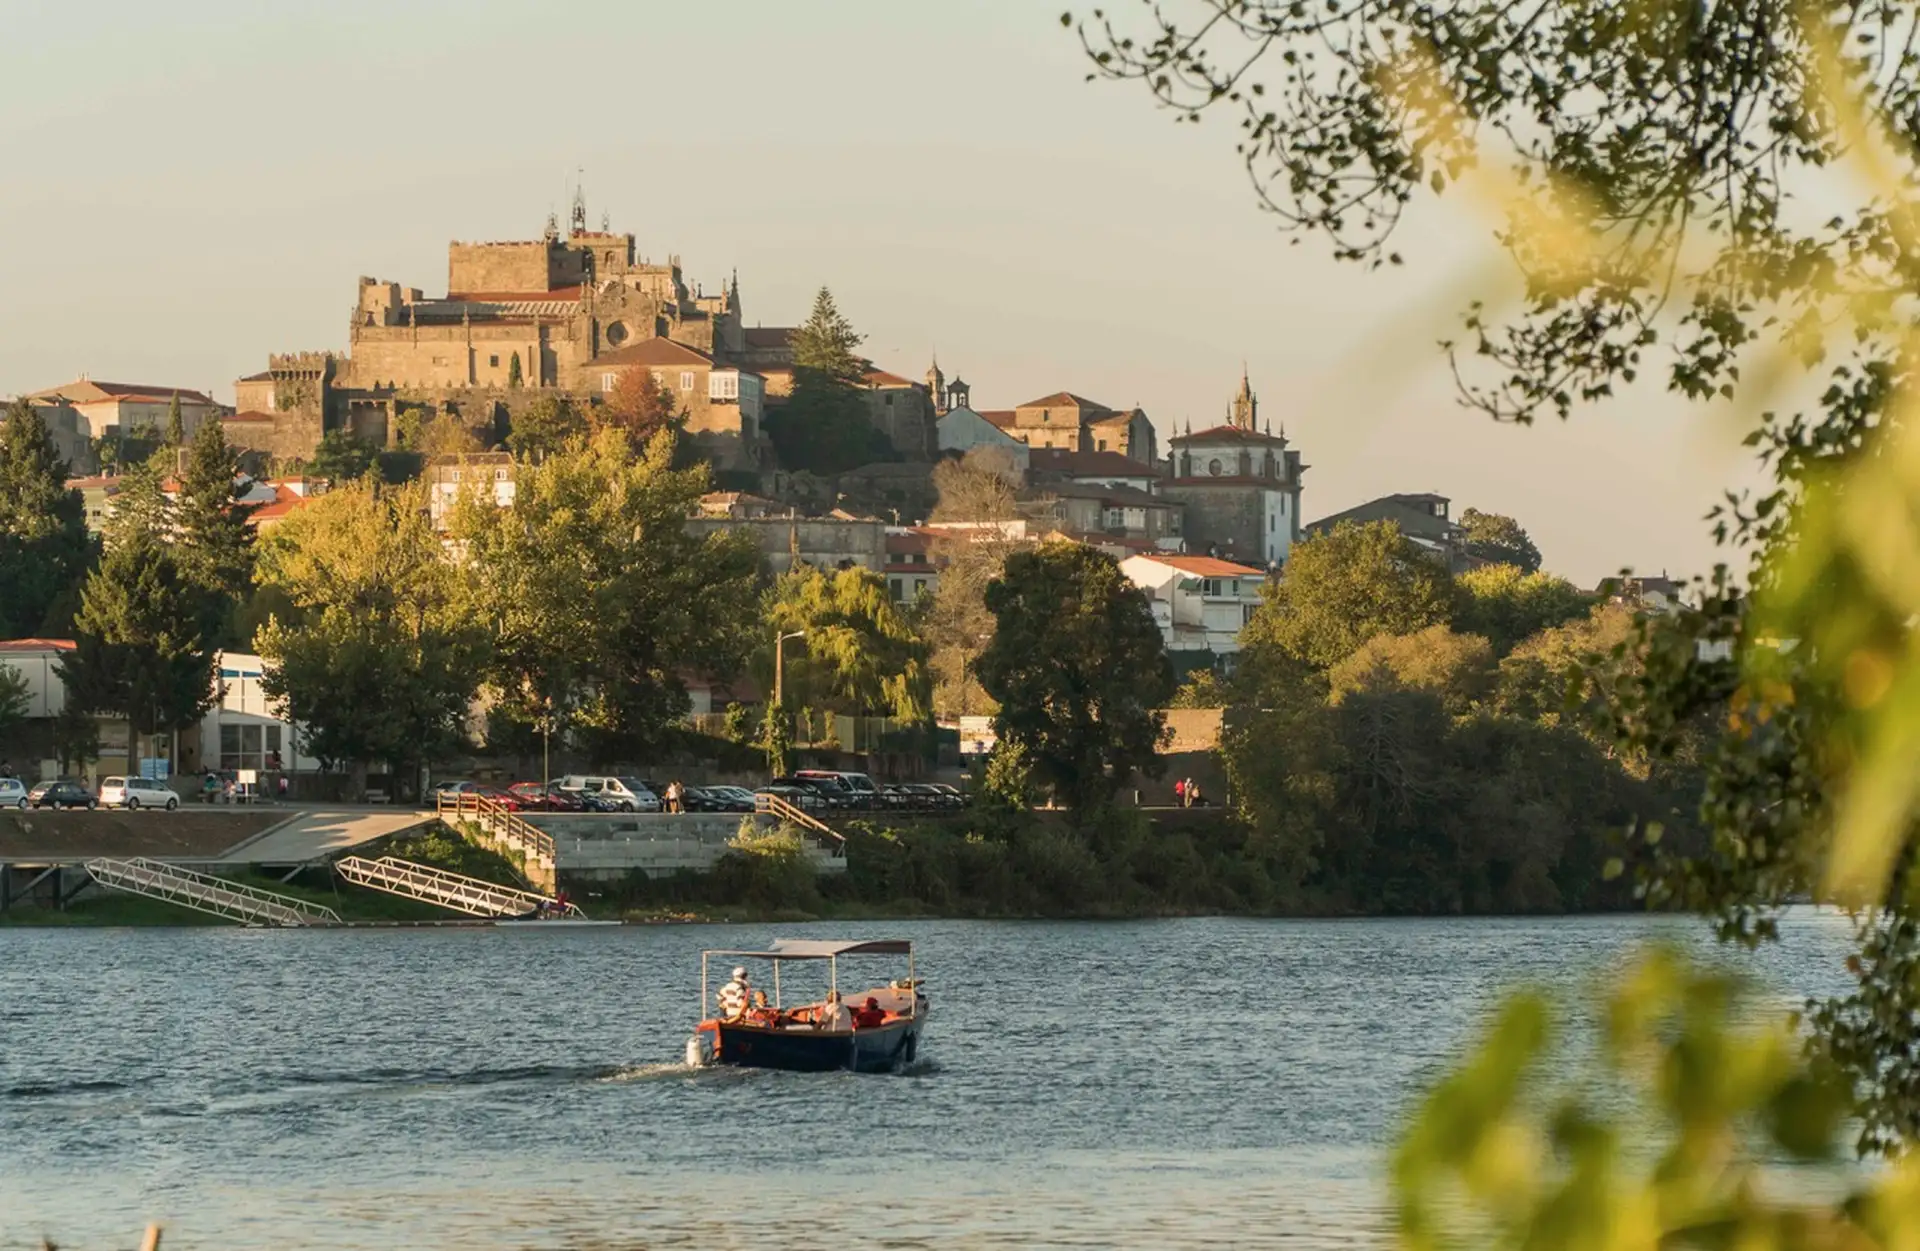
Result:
[861,653]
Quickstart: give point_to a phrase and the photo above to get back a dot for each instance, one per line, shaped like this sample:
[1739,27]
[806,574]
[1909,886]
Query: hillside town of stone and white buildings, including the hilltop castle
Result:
[807,456]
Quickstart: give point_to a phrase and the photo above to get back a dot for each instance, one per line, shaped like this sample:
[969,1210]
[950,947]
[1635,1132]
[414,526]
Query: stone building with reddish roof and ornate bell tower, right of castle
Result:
[1241,488]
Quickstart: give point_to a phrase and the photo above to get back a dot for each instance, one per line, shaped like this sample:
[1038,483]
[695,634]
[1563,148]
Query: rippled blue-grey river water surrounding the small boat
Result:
[1084,1085]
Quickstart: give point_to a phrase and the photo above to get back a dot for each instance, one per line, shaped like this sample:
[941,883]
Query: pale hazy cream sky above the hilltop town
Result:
[201,183]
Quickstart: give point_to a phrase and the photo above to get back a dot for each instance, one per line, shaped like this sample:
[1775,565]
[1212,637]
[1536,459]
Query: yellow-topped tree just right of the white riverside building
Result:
[375,655]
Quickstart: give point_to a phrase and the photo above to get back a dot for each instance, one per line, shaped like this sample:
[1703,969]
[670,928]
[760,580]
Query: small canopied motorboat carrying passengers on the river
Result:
[769,1035]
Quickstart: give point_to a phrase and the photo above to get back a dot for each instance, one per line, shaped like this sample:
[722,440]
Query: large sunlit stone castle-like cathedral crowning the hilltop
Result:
[540,318]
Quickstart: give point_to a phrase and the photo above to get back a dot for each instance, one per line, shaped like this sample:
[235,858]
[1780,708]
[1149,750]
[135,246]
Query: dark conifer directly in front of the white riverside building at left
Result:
[141,646]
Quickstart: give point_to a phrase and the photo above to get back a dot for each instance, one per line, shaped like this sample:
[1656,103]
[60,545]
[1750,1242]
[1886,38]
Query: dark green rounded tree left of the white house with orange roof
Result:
[1078,669]
